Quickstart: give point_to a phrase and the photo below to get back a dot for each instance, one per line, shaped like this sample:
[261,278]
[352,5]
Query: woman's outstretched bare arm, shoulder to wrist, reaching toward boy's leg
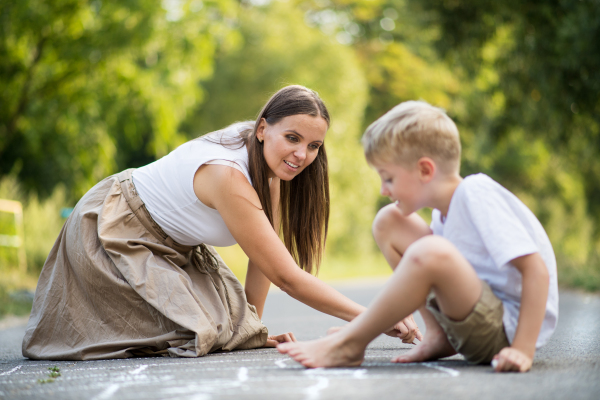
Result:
[236,200]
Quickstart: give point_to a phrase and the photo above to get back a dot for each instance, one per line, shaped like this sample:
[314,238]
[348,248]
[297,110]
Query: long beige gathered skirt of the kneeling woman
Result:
[116,286]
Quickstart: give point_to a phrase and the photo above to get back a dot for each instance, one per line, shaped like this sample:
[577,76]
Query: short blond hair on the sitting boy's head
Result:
[412,130]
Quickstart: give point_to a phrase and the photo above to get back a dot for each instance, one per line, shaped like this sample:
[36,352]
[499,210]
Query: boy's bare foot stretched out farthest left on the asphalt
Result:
[330,351]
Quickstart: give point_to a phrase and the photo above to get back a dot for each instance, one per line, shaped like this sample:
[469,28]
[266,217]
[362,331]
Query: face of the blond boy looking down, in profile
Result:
[401,185]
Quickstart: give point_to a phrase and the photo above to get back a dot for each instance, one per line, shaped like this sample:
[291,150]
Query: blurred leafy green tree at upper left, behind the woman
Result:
[92,87]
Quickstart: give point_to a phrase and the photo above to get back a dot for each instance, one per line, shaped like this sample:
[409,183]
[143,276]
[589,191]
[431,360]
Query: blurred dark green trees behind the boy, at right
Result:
[517,78]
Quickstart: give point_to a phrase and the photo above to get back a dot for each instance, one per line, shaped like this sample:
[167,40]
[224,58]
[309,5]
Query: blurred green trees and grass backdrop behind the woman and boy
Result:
[89,88]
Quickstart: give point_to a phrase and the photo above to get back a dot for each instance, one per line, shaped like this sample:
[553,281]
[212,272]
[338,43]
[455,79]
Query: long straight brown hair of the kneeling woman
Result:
[304,200]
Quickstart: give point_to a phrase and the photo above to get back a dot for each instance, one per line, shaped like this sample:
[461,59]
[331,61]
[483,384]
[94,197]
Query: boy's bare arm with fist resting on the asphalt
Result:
[519,356]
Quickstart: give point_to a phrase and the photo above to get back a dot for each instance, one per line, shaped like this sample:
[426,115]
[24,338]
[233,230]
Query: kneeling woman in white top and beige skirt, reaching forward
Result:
[132,272]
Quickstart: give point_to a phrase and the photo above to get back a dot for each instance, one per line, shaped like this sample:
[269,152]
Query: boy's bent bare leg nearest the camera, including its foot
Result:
[430,263]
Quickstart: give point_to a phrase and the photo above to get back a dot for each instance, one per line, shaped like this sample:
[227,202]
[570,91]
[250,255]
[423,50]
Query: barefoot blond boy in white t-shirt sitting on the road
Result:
[484,282]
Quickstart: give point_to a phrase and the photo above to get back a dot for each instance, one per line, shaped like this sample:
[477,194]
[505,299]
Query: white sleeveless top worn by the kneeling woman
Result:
[166,187]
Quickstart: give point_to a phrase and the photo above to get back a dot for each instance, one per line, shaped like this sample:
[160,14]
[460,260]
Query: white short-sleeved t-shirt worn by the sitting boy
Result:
[490,226]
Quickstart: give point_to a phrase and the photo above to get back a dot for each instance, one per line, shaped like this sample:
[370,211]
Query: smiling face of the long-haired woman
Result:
[291,144]
